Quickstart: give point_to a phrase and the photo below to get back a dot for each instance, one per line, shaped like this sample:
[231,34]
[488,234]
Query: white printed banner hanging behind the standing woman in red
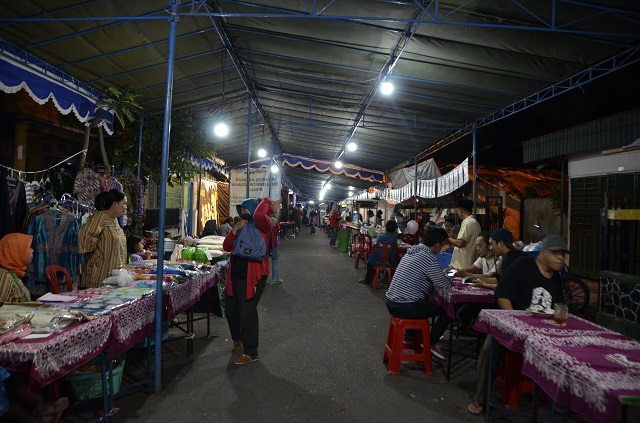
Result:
[258,186]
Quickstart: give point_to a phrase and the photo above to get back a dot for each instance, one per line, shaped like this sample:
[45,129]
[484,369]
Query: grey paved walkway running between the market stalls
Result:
[321,343]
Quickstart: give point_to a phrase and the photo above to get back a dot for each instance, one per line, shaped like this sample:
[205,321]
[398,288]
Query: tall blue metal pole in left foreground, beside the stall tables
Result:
[162,193]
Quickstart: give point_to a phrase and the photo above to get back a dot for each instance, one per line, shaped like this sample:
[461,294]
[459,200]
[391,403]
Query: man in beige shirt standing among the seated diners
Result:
[464,252]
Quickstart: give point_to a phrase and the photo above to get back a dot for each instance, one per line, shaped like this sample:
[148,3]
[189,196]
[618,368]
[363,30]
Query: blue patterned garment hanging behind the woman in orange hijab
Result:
[55,241]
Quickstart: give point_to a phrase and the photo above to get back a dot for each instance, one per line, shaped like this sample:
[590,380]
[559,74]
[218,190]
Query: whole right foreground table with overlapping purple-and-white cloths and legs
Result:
[580,364]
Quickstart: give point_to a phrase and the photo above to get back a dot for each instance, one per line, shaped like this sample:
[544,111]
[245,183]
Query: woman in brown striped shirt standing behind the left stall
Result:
[102,239]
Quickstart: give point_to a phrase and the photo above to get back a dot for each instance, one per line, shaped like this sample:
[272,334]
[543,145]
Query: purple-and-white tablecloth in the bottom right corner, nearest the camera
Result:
[587,373]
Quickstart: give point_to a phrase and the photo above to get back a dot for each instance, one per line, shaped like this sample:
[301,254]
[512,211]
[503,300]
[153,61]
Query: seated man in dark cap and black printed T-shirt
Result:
[527,281]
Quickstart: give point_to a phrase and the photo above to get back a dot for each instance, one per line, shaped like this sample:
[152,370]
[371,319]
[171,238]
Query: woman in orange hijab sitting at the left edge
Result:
[15,254]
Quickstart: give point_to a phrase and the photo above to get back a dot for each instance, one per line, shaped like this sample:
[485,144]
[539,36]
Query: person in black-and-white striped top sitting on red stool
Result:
[418,273]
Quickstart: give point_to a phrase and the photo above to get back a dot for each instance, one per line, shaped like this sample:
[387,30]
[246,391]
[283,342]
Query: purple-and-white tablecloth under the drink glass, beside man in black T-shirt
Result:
[512,327]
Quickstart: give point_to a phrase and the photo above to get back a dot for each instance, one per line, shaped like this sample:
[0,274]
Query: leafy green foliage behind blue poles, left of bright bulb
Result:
[189,137]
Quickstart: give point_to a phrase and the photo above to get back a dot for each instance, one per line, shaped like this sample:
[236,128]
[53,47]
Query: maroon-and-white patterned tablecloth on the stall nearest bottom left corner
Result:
[48,359]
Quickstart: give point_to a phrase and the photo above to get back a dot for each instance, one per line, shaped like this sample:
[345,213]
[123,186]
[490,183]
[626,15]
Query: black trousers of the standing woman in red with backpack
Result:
[242,314]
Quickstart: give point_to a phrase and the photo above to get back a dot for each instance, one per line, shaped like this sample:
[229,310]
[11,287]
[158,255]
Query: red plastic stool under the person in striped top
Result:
[394,350]
